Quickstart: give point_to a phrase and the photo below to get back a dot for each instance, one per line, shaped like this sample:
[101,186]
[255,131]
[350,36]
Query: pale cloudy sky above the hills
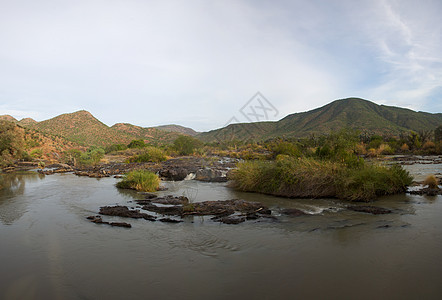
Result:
[199,63]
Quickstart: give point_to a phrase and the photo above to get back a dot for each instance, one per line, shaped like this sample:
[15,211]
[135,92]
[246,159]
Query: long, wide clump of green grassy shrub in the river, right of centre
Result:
[309,177]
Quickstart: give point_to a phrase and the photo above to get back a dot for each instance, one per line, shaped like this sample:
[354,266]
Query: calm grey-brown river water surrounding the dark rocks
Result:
[48,250]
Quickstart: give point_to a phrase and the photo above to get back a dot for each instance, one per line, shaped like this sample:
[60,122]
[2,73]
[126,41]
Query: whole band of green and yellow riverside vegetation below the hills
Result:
[333,165]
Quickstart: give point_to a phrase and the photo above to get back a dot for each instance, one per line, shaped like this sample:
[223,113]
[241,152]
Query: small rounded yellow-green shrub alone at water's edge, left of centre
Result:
[140,180]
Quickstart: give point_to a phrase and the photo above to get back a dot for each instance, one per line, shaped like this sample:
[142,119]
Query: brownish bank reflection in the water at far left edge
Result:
[12,188]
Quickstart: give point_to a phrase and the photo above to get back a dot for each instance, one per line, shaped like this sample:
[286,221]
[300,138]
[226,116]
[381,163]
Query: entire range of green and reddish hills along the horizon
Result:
[84,129]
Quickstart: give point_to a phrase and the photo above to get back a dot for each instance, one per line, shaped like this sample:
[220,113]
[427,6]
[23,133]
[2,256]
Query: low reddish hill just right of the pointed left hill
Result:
[149,135]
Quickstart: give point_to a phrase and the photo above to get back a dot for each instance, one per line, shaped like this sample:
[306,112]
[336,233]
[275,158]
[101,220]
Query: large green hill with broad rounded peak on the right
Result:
[351,113]
